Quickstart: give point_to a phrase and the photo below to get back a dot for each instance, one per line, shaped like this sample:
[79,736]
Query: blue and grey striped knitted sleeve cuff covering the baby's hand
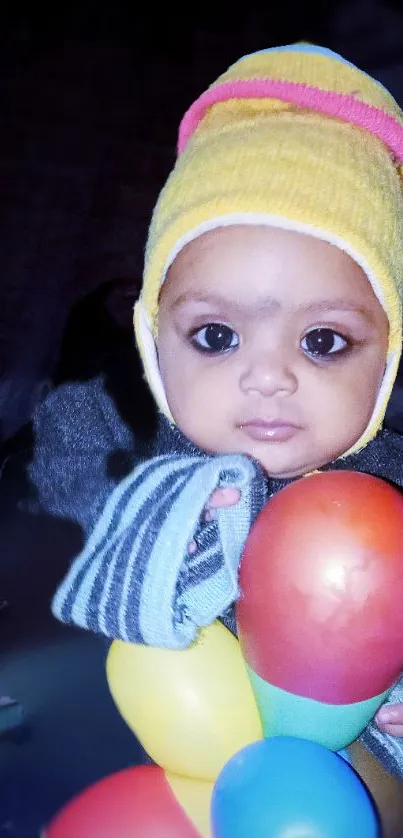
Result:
[136,578]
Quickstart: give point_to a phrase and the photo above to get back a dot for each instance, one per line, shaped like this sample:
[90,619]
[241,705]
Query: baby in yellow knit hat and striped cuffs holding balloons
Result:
[269,325]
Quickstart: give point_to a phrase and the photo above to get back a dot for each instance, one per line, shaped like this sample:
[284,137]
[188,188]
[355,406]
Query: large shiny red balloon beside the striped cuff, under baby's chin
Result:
[320,613]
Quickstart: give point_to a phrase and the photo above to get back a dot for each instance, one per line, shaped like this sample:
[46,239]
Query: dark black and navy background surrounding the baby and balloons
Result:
[91,96]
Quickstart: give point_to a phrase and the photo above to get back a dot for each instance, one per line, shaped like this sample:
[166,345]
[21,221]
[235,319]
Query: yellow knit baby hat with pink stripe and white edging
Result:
[297,138]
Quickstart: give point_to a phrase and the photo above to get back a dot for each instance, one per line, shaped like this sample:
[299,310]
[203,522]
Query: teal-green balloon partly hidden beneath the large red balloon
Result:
[332,725]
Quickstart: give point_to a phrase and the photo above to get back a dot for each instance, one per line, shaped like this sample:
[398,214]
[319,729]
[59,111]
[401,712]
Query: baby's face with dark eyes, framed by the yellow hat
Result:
[271,343]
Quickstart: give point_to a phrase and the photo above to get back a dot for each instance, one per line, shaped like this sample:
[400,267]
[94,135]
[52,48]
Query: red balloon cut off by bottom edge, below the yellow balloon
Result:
[134,802]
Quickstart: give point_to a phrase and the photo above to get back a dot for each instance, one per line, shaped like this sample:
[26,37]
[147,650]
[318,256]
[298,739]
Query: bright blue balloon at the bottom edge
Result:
[283,787]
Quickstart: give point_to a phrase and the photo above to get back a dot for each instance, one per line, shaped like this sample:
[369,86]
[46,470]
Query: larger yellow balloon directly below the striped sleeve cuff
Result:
[193,709]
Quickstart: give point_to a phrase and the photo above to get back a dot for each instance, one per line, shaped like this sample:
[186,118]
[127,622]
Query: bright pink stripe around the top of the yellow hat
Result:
[337,105]
